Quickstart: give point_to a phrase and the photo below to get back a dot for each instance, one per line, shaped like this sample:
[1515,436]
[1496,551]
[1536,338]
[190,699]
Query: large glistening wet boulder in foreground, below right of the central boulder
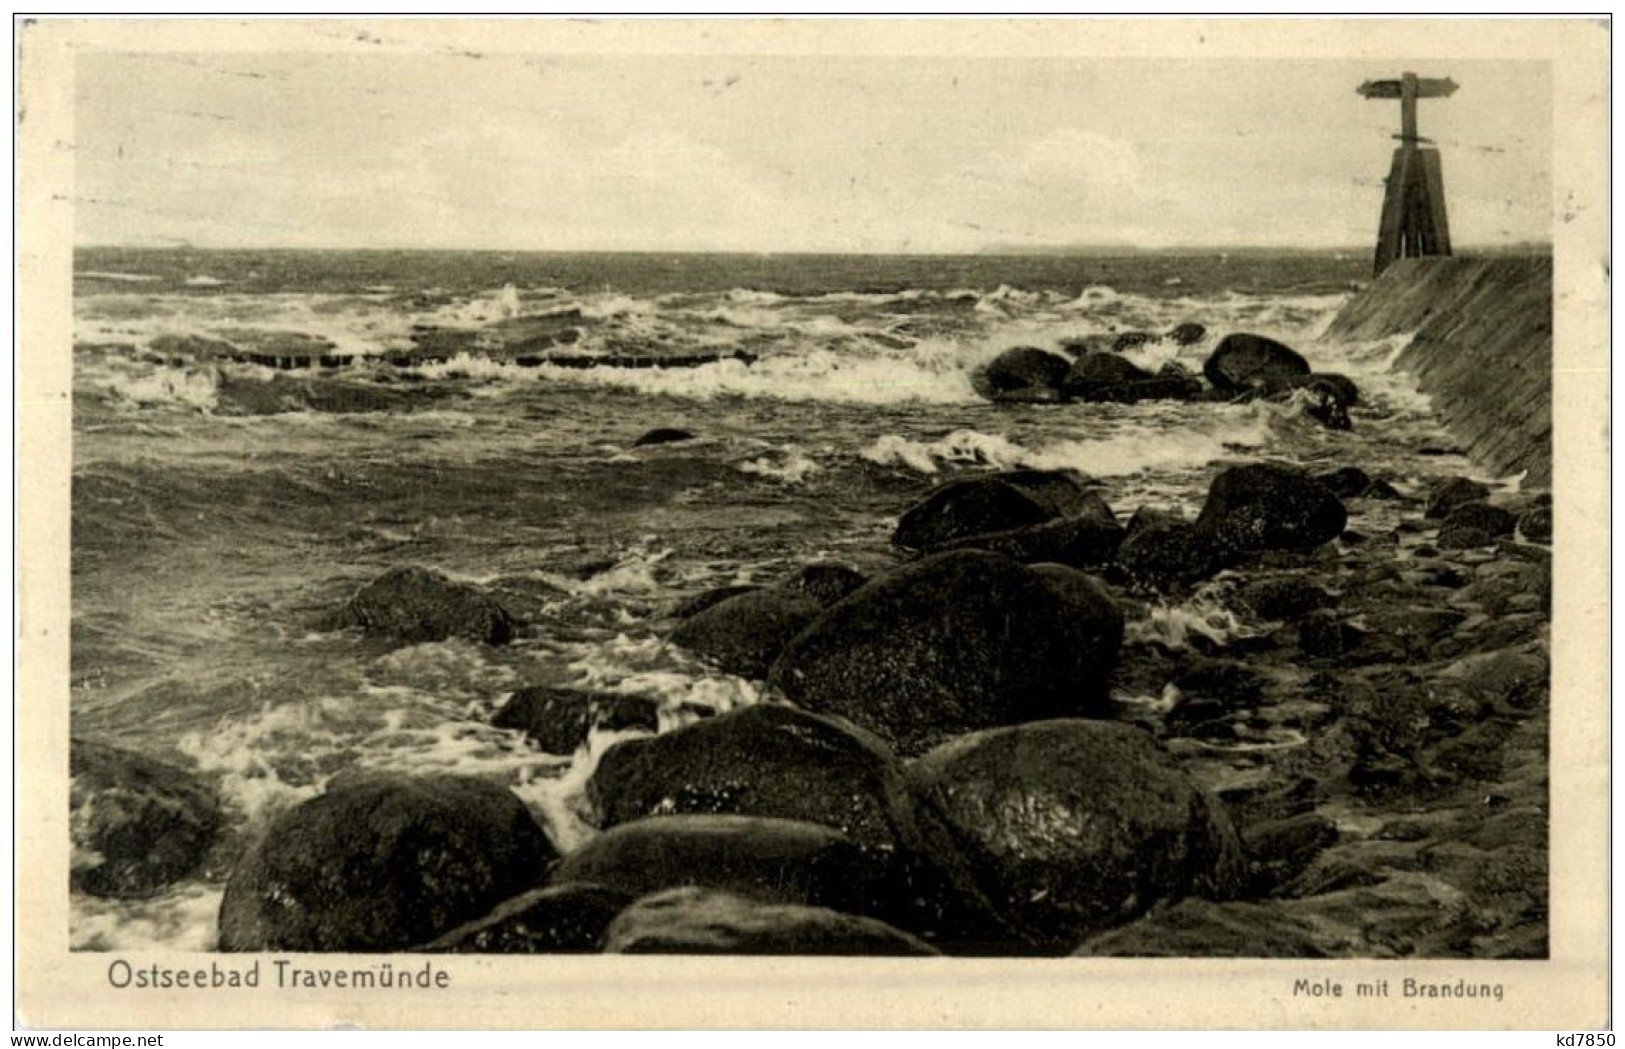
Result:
[1078,826]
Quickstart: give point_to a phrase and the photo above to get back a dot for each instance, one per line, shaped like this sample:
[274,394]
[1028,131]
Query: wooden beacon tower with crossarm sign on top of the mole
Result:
[1415,222]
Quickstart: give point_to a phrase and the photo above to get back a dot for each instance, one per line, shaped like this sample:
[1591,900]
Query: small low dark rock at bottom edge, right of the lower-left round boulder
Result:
[558,920]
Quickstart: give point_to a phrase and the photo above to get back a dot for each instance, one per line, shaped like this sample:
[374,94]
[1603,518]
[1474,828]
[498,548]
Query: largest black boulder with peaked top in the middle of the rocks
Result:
[958,642]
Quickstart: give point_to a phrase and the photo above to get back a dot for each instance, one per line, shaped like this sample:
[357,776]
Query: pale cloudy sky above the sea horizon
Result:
[782,153]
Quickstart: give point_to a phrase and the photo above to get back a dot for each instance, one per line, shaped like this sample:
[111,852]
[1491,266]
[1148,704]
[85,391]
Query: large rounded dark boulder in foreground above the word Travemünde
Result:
[383,863]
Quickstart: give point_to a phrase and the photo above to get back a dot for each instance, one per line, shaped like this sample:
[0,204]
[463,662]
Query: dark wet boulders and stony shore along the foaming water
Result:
[1000,746]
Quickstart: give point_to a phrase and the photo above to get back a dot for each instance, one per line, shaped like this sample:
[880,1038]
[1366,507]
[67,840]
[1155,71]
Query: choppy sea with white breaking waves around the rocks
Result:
[223,511]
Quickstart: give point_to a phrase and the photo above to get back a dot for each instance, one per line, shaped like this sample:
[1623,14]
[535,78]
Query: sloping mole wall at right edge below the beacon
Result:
[1483,350]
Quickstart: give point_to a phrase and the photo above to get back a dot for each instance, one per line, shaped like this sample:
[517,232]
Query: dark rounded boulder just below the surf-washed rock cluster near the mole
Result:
[1267,507]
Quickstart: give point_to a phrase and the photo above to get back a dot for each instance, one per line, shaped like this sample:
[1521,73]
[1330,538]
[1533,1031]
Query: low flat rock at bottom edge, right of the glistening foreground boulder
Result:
[1205,930]
